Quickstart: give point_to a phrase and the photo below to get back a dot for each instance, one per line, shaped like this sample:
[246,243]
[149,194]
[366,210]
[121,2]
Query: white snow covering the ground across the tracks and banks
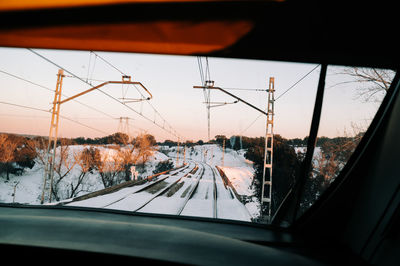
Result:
[237,169]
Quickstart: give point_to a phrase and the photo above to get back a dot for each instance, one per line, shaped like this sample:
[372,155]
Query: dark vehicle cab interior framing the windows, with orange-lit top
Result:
[355,221]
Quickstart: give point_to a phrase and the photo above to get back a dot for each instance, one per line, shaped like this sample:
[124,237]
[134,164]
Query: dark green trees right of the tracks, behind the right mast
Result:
[287,160]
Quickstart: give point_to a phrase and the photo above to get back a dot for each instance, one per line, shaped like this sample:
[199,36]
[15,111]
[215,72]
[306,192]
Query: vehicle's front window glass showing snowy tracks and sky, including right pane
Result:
[180,135]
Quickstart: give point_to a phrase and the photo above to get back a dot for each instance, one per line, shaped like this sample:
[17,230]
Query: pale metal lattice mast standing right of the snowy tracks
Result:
[266,189]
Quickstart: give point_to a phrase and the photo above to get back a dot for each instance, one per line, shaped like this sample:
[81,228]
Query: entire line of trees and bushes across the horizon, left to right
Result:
[18,153]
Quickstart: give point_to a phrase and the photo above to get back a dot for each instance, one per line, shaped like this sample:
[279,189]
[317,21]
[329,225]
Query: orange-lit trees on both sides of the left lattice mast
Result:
[72,165]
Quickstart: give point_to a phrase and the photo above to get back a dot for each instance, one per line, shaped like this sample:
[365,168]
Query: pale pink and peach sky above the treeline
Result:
[170,79]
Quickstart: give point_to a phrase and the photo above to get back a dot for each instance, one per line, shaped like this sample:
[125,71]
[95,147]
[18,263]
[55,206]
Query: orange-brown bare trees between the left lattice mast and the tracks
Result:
[112,167]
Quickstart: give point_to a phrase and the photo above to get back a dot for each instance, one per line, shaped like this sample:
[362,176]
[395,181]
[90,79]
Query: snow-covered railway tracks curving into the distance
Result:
[195,190]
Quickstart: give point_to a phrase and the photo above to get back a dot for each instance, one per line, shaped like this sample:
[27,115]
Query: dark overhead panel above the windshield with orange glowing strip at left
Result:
[262,30]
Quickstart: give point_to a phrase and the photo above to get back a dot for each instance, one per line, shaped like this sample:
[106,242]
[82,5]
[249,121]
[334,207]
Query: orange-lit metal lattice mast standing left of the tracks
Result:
[55,118]
